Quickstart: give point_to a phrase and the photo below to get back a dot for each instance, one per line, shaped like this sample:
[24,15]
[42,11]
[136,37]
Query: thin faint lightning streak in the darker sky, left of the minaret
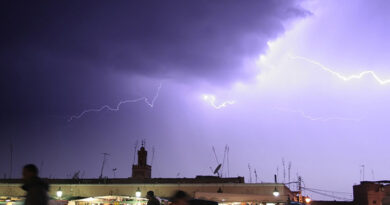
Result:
[117,107]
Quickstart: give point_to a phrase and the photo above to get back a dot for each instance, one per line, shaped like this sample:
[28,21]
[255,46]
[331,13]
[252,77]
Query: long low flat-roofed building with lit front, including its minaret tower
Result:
[214,188]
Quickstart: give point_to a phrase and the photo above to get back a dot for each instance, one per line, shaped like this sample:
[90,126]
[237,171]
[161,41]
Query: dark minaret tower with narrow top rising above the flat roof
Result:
[142,170]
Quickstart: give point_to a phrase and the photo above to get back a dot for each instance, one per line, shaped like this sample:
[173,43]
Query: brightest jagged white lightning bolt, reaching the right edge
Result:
[343,77]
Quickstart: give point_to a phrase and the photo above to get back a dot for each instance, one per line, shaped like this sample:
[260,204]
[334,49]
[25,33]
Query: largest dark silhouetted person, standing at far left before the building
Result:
[34,186]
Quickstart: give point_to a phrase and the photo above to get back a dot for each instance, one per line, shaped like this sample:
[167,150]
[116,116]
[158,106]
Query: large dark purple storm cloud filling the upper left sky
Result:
[53,51]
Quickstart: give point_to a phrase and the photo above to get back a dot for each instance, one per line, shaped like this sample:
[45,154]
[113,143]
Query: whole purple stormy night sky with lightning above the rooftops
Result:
[304,81]
